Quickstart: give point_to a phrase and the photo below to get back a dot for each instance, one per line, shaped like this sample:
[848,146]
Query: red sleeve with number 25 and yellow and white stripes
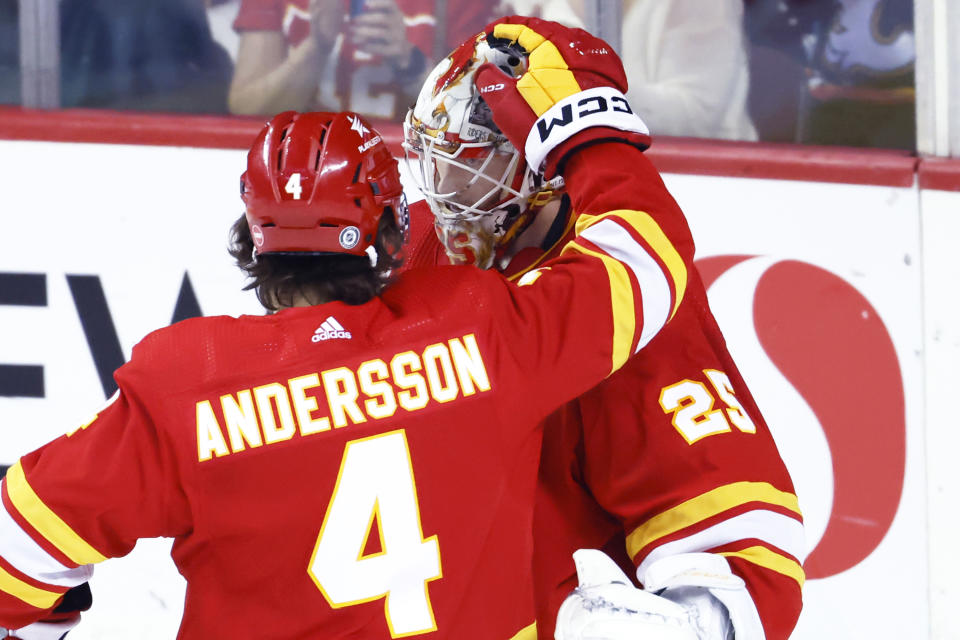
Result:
[681,424]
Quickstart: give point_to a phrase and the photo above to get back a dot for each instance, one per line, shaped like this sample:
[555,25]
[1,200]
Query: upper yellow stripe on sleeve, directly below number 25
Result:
[705,506]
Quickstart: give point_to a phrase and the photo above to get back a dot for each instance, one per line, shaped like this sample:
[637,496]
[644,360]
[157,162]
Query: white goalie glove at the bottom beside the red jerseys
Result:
[607,606]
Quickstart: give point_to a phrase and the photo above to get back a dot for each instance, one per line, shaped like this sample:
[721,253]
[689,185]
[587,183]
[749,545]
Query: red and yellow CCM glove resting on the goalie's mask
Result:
[574,81]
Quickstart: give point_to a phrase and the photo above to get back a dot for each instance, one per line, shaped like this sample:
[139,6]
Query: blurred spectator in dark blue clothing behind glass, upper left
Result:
[155,55]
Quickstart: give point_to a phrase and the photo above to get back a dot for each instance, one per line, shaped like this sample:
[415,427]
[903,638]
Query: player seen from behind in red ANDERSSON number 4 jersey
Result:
[358,463]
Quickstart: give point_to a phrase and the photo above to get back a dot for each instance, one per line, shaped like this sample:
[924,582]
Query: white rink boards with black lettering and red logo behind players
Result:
[837,299]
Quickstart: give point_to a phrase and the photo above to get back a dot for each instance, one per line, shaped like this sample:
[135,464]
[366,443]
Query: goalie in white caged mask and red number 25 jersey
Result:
[667,465]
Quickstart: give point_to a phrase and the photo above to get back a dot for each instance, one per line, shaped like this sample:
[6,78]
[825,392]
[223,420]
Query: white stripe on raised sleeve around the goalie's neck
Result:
[617,242]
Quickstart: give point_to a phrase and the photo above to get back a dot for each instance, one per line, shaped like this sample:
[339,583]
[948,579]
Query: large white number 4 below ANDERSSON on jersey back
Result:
[376,490]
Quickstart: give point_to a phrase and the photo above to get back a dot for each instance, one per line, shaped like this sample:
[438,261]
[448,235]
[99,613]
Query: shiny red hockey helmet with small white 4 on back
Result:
[319,183]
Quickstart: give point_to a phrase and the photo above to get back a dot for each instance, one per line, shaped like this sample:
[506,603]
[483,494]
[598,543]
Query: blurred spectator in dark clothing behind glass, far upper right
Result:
[833,71]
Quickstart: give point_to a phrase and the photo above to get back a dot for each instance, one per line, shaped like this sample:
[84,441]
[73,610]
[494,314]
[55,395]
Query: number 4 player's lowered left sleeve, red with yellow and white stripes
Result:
[116,466]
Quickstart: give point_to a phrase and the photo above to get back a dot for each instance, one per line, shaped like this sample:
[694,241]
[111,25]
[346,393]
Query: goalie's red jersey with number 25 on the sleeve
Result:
[668,455]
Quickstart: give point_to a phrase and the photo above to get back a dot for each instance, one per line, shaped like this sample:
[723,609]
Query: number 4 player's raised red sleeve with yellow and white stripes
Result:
[613,287]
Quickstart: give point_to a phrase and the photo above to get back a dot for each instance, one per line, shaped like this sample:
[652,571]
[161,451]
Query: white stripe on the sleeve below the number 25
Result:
[783,532]
